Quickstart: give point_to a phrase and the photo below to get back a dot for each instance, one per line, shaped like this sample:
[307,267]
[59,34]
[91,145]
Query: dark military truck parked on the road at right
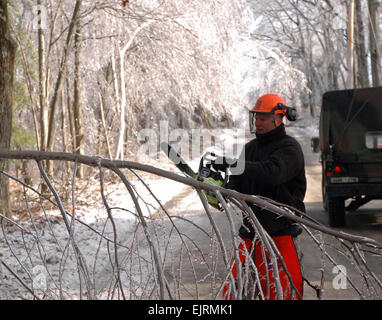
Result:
[350,142]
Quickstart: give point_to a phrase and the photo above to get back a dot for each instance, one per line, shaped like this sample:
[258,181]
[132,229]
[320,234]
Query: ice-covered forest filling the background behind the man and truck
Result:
[89,75]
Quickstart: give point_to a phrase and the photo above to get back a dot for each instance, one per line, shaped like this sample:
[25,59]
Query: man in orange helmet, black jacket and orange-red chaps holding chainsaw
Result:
[274,168]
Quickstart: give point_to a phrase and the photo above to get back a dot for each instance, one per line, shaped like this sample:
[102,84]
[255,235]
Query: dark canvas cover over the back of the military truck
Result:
[351,121]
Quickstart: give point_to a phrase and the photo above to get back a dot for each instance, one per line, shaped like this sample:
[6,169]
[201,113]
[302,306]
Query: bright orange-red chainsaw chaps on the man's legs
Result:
[262,261]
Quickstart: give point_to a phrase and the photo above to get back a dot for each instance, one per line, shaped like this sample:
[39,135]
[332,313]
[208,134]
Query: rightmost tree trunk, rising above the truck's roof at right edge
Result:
[374,40]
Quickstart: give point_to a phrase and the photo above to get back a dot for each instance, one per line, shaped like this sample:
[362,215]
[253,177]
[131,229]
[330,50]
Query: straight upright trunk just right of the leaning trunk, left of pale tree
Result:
[77,103]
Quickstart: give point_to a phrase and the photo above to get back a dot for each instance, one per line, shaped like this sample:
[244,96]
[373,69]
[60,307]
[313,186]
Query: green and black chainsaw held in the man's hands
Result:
[205,174]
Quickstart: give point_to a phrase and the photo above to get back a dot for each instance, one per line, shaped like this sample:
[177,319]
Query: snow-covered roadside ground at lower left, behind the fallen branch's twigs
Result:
[39,247]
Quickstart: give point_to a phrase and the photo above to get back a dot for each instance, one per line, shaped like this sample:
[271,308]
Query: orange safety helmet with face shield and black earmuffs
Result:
[271,104]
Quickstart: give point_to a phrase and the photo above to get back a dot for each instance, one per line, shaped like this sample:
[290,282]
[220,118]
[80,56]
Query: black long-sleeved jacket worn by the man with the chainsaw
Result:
[274,168]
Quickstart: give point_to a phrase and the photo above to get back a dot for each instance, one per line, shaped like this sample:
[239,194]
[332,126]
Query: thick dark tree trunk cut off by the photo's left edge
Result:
[7,61]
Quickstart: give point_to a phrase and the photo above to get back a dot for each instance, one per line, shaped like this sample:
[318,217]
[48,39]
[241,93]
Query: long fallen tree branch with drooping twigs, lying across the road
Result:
[152,268]
